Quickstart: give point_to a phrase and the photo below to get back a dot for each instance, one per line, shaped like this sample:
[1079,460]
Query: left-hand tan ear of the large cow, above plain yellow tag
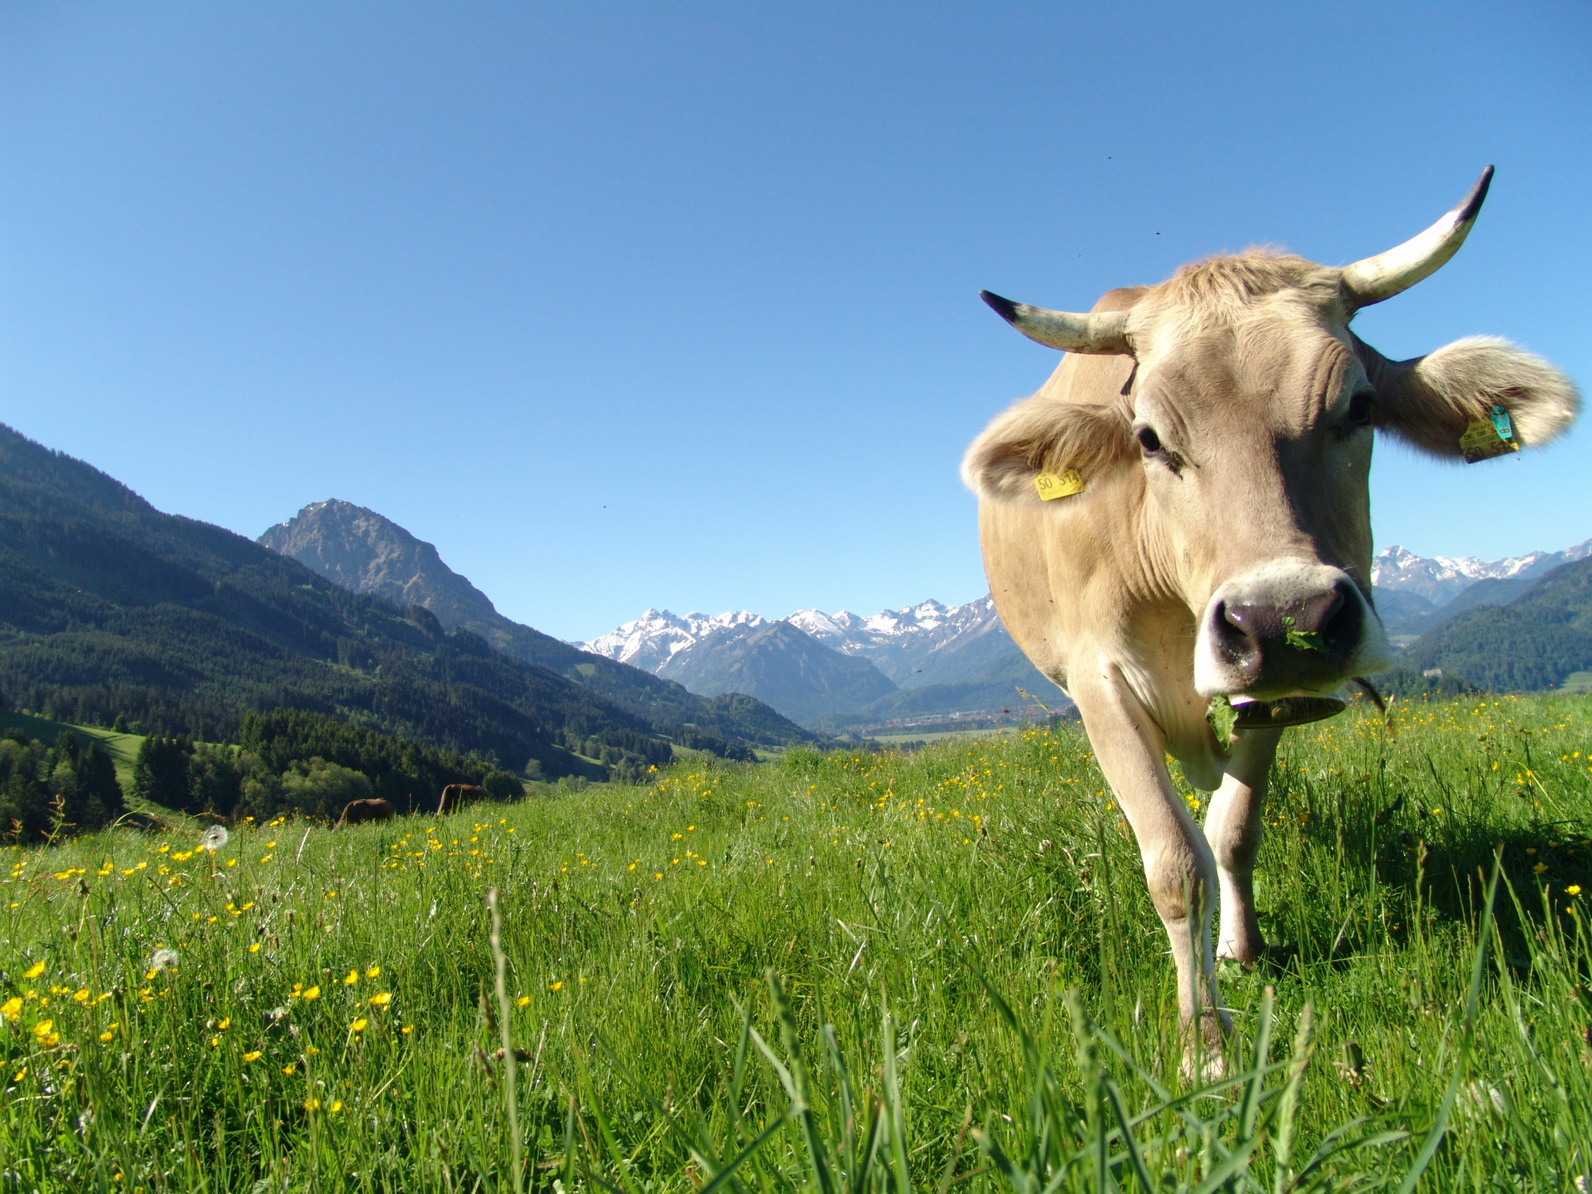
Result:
[1044,435]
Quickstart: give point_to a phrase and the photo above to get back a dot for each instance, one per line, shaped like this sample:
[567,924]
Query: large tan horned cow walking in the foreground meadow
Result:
[1177,531]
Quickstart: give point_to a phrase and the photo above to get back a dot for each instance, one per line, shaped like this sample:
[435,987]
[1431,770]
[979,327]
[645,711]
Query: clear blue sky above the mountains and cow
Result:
[676,305]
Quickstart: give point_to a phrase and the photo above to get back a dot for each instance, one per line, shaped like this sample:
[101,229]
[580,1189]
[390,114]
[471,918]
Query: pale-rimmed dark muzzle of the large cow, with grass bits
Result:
[1290,628]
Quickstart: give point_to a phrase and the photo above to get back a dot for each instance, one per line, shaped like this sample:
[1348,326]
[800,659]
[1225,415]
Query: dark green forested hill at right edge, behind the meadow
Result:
[1535,642]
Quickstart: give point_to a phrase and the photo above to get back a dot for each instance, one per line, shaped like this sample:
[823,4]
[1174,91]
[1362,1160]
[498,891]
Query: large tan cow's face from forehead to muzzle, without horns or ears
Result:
[1252,423]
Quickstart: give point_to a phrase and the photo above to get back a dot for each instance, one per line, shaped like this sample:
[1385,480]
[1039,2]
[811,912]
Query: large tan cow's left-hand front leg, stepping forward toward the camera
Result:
[1179,865]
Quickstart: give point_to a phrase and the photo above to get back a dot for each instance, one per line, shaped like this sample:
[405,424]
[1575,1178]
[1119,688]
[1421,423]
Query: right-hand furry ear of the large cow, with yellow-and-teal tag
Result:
[1429,402]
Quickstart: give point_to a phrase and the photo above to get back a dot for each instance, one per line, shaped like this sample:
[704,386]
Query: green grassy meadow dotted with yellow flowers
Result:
[924,919]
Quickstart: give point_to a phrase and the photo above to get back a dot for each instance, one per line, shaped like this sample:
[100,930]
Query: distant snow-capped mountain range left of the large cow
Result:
[919,646]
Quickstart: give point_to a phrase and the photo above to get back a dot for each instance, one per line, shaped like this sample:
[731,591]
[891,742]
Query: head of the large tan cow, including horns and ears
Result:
[1251,413]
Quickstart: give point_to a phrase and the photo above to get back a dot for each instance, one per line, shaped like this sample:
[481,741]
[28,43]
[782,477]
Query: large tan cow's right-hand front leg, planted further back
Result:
[1233,827]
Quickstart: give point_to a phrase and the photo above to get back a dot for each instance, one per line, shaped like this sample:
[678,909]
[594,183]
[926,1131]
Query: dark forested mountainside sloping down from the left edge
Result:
[112,611]
